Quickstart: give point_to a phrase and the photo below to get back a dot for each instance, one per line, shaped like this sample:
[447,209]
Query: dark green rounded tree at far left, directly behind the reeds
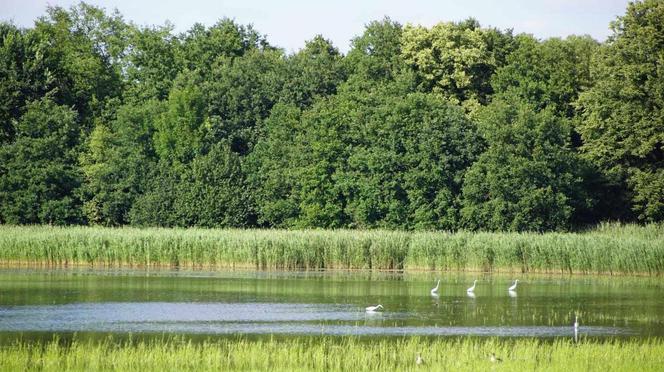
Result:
[39,180]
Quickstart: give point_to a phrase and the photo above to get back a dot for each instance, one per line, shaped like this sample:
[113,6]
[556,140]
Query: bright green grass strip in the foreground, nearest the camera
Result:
[347,354]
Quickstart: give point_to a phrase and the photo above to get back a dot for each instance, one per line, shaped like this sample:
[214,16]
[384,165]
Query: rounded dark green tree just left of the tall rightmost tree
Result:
[529,177]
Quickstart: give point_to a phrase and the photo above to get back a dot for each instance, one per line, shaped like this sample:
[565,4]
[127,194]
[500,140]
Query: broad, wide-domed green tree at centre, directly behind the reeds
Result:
[367,160]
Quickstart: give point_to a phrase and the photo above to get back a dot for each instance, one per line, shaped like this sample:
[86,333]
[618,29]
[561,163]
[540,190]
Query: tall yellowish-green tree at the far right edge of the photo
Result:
[622,124]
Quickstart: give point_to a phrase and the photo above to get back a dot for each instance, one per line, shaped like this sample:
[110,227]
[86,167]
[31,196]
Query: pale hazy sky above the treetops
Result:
[289,23]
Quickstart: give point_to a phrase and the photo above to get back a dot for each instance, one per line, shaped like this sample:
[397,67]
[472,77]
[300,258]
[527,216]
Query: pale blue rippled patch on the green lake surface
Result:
[251,318]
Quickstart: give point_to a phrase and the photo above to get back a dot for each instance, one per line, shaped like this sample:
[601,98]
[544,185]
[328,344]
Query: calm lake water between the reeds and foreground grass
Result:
[40,303]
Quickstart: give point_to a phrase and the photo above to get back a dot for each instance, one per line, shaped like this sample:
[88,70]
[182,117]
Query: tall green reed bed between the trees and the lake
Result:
[606,249]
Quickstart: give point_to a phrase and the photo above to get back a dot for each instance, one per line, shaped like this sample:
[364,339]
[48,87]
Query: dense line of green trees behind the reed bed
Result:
[450,127]
